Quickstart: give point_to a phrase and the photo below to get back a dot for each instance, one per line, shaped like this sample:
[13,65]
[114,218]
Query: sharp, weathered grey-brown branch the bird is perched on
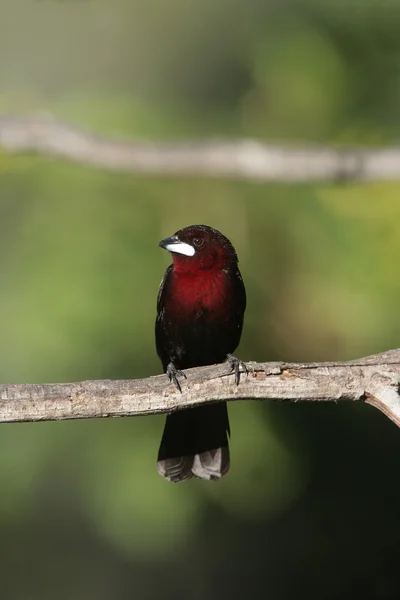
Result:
[374,380]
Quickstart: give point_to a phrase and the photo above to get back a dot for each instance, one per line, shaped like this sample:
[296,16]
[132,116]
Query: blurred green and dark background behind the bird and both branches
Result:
[311,507]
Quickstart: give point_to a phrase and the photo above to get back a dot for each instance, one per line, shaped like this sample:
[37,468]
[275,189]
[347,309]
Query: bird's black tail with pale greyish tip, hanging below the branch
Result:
[195,443]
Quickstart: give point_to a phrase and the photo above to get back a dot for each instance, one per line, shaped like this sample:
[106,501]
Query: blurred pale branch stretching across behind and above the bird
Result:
[249,160]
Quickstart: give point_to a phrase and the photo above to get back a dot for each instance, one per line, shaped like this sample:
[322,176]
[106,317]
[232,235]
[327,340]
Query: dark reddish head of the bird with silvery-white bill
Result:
[200,247]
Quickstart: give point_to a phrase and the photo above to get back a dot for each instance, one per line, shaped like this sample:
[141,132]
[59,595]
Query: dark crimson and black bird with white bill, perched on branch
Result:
[200,311]
